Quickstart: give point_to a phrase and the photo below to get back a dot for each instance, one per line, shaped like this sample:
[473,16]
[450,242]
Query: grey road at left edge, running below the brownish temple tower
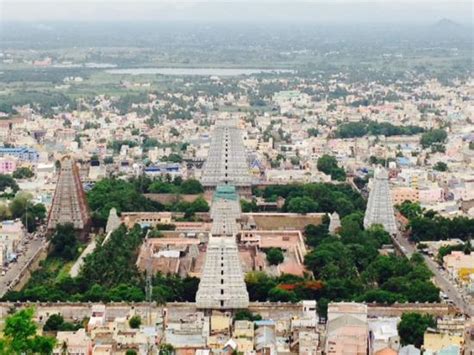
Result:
[14,269]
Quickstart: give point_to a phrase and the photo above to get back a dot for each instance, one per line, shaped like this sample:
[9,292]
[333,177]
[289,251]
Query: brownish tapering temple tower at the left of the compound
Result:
[69,201]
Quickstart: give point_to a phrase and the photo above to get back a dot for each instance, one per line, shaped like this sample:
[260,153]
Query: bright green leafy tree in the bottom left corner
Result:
[20,335]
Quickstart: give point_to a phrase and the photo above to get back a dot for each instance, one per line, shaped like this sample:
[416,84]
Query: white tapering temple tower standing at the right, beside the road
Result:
[379,207]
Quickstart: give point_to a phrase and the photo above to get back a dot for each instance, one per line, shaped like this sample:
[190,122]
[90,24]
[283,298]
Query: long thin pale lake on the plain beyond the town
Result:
[195,71]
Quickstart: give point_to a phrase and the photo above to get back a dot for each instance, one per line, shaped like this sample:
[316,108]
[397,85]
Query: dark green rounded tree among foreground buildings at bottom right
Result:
[413,326]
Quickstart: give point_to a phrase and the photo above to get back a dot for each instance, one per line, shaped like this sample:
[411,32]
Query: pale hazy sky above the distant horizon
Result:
[319,11]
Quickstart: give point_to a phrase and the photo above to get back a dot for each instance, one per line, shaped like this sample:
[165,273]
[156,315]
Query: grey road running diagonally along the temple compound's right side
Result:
[441,277]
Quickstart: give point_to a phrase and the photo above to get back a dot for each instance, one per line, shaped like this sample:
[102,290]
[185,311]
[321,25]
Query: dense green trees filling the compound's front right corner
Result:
[351,268]
